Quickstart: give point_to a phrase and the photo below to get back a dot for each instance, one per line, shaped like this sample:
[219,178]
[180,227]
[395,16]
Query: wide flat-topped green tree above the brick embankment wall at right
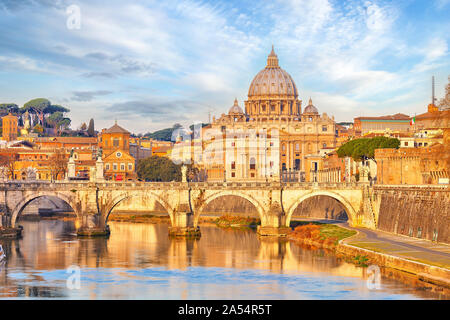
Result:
[364,148]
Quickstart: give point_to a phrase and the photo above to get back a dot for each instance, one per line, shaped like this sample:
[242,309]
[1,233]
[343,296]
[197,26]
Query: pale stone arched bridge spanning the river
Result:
[184,202]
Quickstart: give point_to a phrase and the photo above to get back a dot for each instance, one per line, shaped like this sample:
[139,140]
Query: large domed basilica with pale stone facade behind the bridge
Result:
[272,136]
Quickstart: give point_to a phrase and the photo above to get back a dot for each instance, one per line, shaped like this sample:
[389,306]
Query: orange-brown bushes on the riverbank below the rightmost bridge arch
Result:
[325,235]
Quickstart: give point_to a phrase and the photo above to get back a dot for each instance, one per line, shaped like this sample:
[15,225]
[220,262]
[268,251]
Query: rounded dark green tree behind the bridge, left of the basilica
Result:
[157,168]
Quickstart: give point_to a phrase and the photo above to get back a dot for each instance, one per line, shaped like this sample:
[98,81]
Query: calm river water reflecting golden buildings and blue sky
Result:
[140,261]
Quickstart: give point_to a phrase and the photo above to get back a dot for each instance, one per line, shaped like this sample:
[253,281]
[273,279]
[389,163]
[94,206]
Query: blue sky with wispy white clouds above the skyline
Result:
[150,64]
